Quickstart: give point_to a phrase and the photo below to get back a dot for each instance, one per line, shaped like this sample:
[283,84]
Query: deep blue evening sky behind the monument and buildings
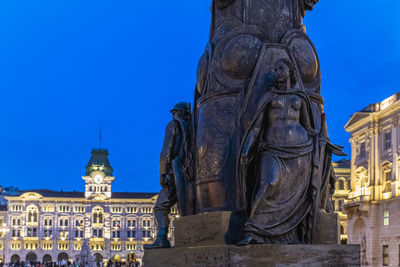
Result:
[69,66]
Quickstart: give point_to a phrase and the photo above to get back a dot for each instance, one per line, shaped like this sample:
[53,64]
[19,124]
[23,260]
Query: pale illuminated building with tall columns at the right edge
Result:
[373,206]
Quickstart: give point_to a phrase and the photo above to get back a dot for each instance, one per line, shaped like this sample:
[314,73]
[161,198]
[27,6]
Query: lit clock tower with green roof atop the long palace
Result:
[99,176]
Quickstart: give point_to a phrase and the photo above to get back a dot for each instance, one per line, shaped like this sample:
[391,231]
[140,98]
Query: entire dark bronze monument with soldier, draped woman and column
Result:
[256,140]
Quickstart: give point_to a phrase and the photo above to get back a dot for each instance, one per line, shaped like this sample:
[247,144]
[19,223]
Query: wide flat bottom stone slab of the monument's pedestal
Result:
[255,255]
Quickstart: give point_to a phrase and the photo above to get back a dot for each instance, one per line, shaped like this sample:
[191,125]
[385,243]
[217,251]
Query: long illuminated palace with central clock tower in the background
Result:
[51,226]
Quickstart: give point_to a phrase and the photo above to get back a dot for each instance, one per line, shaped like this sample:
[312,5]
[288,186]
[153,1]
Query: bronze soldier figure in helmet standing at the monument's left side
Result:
[174,173]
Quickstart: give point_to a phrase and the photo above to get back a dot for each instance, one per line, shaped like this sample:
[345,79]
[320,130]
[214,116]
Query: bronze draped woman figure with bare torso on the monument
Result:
[279,146]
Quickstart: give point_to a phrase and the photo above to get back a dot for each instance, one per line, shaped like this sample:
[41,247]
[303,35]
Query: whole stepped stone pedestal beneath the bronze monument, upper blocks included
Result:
[201,240]
